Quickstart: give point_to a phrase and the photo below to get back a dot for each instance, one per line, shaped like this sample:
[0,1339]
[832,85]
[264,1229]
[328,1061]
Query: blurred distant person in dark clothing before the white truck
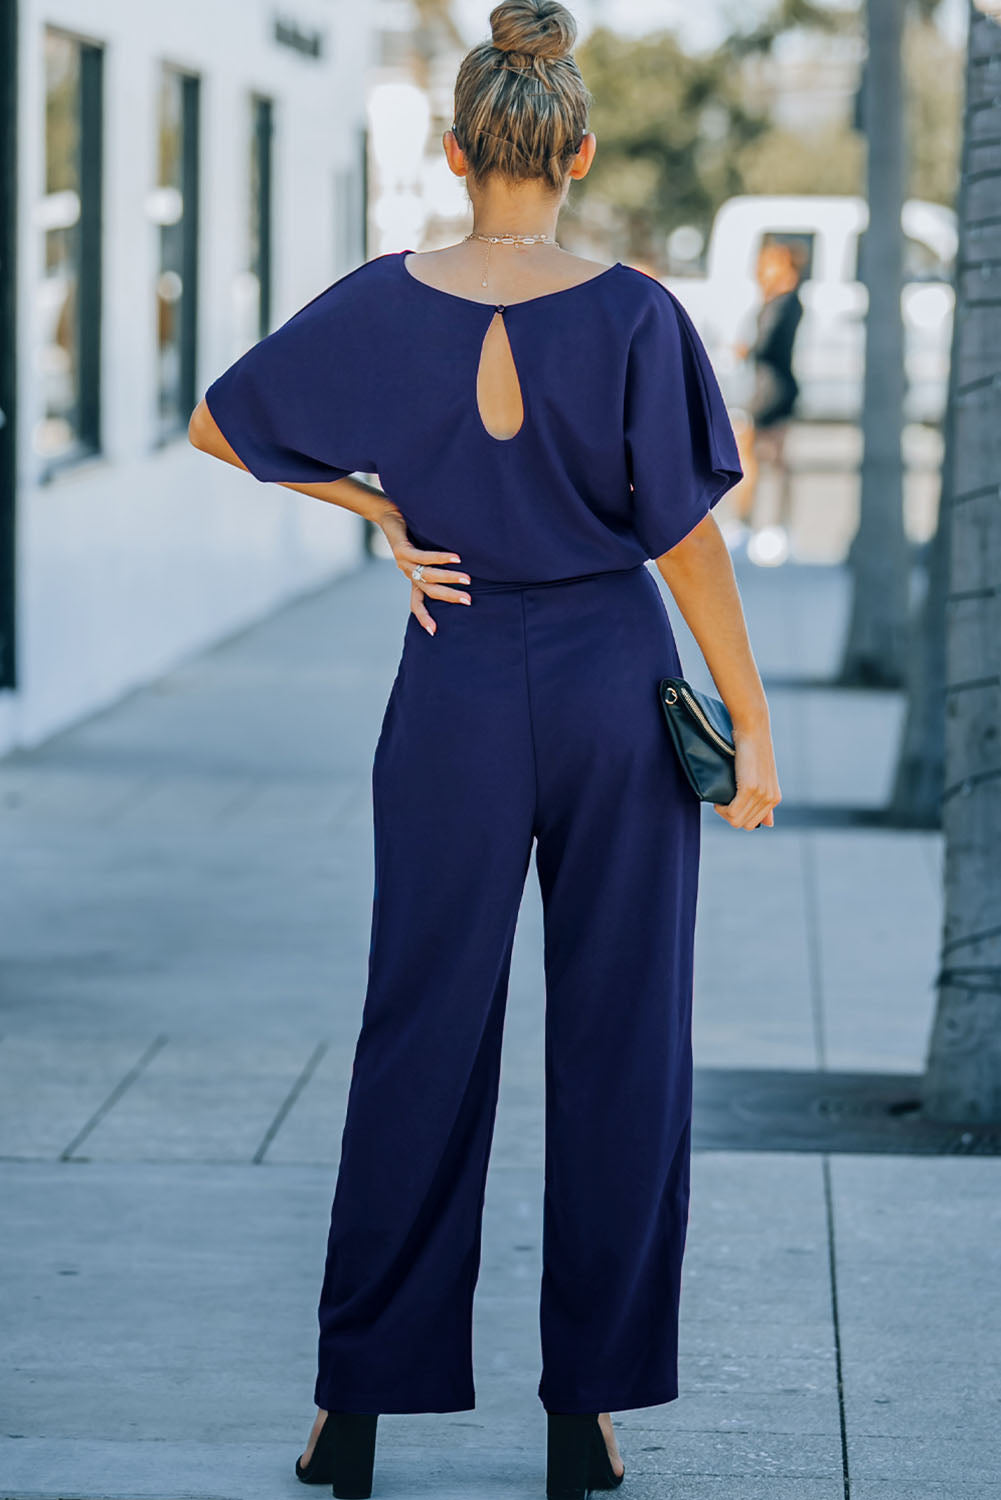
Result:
[763,425]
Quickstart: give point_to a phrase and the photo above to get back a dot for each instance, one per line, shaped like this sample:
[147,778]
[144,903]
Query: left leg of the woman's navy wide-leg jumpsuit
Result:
[454,800]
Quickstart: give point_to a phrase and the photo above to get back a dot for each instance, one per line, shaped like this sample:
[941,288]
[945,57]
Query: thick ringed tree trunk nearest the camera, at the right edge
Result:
[963,1079]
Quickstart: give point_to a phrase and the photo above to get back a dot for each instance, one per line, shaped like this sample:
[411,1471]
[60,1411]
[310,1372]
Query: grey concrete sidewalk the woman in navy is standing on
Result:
[182,968]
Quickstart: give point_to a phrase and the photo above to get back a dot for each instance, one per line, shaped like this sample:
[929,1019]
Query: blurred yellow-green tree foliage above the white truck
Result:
[681,134]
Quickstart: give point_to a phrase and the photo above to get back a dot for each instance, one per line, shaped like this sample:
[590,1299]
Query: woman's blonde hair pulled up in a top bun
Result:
[520,100]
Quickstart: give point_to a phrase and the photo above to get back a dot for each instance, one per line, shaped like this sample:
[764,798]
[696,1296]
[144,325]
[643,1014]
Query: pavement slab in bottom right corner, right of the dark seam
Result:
[919,1267]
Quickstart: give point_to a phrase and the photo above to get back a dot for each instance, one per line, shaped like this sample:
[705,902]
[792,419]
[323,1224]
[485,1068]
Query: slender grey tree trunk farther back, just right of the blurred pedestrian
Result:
[877,641]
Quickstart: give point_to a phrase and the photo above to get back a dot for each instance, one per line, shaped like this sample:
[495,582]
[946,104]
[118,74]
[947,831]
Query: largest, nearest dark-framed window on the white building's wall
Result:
[70,218]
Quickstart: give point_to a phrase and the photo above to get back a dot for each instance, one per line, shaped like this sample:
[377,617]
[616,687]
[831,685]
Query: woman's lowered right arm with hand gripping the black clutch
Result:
[700,575]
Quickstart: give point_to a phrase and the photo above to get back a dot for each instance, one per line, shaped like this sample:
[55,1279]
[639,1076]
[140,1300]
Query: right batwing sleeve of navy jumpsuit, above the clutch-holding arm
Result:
[681,445]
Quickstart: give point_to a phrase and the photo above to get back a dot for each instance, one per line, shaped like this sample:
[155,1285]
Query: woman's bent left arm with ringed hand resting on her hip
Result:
[364,500]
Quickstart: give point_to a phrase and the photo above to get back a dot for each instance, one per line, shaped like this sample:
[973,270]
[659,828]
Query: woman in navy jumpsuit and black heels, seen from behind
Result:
[541,425]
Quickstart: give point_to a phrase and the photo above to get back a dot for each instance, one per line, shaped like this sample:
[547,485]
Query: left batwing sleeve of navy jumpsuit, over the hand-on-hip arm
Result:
[298,407]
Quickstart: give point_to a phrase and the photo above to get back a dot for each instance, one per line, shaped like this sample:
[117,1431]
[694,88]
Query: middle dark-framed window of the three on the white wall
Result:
[175,209]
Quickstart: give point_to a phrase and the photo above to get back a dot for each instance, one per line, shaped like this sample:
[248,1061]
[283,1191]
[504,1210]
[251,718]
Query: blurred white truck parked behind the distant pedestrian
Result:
[831,341]
